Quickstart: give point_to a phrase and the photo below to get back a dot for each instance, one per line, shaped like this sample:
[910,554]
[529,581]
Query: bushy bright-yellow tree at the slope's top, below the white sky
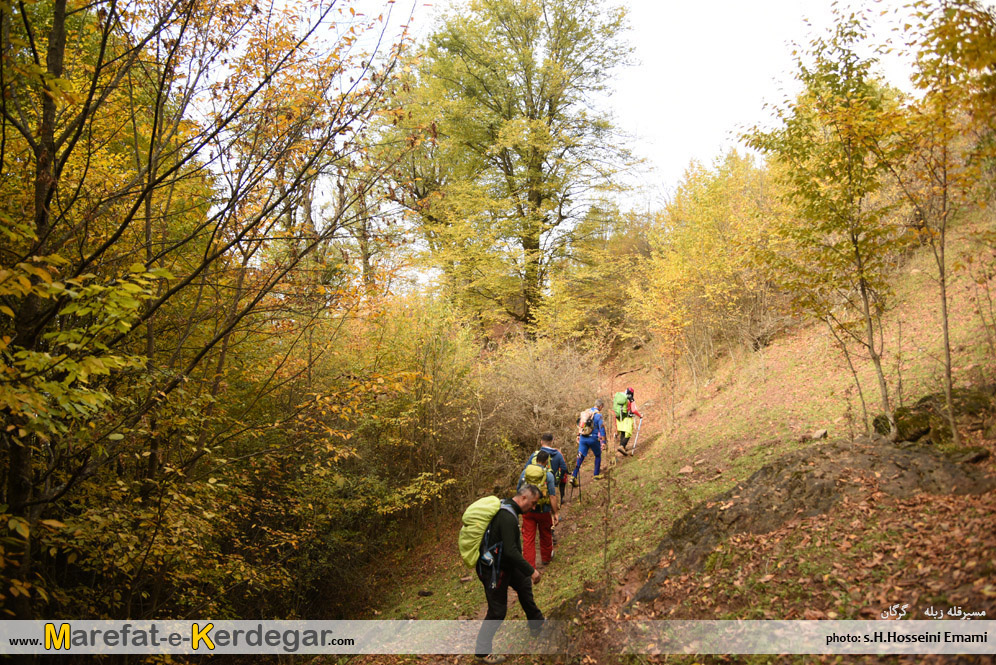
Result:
[704,292]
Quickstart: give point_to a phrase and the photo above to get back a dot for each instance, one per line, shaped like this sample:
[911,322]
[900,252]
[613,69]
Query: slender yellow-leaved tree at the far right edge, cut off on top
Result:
[940,150]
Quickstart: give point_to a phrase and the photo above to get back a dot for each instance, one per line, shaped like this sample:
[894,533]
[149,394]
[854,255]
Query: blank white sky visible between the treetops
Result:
[704,69]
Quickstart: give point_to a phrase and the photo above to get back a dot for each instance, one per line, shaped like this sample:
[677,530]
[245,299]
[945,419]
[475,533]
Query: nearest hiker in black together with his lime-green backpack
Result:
[489,542]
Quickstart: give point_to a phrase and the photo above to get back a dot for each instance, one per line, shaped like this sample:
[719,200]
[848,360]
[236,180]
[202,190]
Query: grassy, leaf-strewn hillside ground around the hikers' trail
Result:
[859,556]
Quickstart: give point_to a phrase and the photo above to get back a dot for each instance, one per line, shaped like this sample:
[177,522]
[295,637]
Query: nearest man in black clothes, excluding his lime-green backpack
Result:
[514,571]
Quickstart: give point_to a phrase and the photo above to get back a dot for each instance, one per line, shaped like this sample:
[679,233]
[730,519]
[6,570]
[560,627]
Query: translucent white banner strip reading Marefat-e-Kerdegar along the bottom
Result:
[512,637]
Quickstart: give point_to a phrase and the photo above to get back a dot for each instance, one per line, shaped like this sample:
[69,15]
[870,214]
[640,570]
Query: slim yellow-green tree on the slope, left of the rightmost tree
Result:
[839,247]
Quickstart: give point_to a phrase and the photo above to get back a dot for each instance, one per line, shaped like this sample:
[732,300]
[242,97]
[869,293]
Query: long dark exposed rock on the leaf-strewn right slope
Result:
[806,483]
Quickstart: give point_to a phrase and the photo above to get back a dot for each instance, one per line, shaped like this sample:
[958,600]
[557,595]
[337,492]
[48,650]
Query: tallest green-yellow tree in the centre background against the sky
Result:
[513,148]
